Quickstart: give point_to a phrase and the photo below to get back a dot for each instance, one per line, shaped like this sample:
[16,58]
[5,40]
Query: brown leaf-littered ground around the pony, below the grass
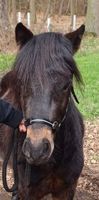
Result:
[88,186]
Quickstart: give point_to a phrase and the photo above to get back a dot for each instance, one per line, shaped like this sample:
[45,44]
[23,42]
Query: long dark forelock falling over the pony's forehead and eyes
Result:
[41,56]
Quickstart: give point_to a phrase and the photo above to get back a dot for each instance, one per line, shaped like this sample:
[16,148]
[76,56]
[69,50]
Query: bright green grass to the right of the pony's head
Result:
[89,100]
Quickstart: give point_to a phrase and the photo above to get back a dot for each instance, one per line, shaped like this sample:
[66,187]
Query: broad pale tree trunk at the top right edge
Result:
[92,17]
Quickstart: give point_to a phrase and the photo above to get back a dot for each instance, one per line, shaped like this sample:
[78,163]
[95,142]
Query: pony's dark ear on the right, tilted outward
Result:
[75,37]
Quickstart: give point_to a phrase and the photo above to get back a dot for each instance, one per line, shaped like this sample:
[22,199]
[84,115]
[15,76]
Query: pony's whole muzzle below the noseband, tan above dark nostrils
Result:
[38,145]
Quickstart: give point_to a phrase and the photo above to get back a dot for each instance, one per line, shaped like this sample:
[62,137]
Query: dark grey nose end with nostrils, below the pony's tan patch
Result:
[38,152]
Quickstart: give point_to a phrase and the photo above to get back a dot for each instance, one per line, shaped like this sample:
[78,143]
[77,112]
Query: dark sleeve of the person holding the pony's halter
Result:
[9,115]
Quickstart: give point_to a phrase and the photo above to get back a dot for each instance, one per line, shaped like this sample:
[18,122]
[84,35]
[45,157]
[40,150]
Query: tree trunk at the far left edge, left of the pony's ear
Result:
[4,25]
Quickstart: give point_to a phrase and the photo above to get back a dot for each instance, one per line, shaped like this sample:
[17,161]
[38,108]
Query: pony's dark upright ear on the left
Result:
[22,34]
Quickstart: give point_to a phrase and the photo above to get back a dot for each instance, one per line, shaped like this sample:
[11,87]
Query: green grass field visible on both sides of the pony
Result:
[88,62]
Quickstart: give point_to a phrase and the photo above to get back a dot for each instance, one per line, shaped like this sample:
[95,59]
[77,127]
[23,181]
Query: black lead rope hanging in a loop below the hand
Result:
[13,147]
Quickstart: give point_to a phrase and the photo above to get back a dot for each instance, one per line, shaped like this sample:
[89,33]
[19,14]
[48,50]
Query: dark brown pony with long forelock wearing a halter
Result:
[41,85]
